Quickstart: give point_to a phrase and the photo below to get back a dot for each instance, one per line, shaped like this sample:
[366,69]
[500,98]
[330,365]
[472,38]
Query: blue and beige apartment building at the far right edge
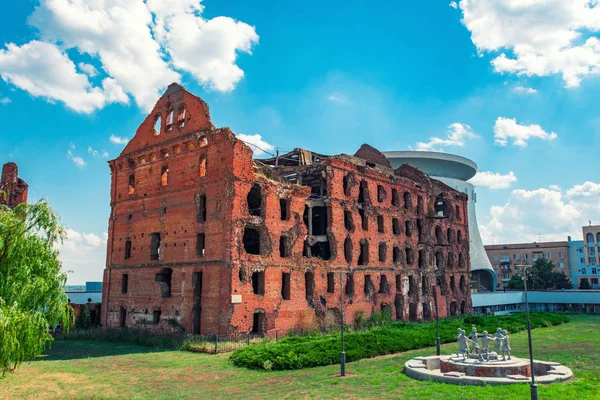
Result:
[584,257]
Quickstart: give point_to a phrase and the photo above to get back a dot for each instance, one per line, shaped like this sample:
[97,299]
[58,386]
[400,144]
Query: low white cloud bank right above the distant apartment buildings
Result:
[553,214]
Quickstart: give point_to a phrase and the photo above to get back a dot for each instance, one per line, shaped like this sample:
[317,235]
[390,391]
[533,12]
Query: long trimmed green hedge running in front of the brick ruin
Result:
[313,351]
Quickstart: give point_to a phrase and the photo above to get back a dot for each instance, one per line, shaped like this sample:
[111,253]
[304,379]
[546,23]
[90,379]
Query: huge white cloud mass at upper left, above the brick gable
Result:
[141,47]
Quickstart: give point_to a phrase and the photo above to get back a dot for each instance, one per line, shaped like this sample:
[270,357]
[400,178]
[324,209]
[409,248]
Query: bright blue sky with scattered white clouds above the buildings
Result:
[512,85]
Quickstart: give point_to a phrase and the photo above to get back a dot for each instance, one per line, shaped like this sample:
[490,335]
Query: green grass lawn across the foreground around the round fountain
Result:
[87,369]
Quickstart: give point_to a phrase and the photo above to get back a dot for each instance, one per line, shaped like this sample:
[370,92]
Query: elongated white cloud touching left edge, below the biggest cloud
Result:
[44,70]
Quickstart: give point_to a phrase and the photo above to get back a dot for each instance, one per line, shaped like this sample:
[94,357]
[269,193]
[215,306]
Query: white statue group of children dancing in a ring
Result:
[481,344]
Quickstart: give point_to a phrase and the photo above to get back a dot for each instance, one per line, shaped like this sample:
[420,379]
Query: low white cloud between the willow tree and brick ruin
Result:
[84,255]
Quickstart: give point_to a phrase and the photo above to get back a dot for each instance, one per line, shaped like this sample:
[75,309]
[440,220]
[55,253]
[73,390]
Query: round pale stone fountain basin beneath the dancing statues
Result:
[454,370]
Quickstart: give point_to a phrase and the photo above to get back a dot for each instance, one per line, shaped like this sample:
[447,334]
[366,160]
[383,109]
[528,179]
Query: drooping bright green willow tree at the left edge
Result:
[32,297]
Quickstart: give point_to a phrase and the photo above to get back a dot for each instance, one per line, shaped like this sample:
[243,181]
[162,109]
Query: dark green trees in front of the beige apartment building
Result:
[541,276]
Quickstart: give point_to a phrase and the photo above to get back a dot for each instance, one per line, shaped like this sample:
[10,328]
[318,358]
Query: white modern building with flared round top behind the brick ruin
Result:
[455,171]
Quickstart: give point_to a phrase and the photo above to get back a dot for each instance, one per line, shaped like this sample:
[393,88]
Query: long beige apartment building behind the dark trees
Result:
[504,257]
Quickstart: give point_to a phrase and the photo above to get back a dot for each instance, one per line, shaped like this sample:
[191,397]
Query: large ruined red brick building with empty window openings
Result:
[204,239]
